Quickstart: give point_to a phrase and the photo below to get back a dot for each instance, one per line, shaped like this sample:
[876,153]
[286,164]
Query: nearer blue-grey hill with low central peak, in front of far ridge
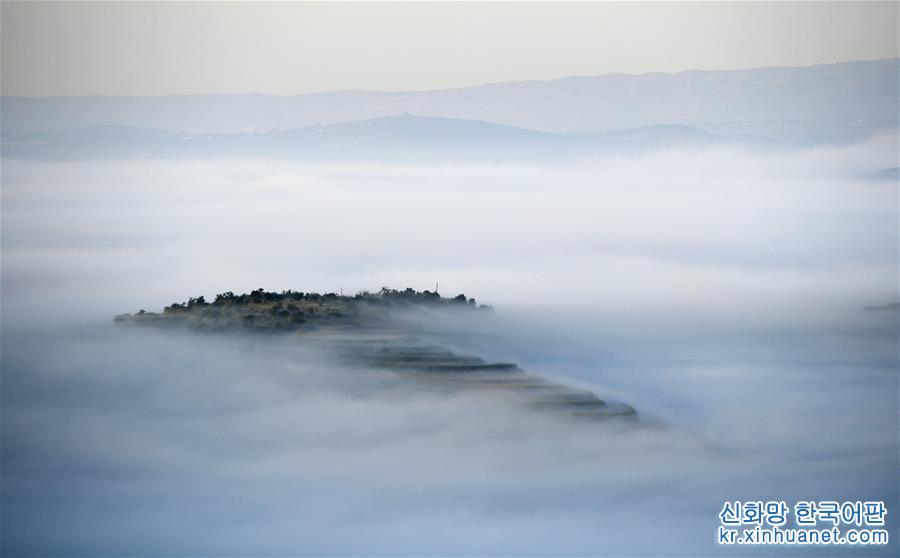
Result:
[400,138]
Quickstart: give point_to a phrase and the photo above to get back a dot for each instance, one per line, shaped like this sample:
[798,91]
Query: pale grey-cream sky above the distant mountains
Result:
[75,48]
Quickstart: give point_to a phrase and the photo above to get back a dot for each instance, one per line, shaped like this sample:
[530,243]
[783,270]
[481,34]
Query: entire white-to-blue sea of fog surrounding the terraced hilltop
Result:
[737,298]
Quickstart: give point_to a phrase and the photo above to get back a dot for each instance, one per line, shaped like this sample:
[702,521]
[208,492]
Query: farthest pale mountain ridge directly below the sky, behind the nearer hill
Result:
[864,92]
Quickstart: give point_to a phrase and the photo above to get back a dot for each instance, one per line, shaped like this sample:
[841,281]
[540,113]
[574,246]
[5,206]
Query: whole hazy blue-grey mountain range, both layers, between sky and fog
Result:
[833,103]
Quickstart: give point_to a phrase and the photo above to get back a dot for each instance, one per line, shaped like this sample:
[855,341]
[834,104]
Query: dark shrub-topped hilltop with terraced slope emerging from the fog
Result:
[368,330]
